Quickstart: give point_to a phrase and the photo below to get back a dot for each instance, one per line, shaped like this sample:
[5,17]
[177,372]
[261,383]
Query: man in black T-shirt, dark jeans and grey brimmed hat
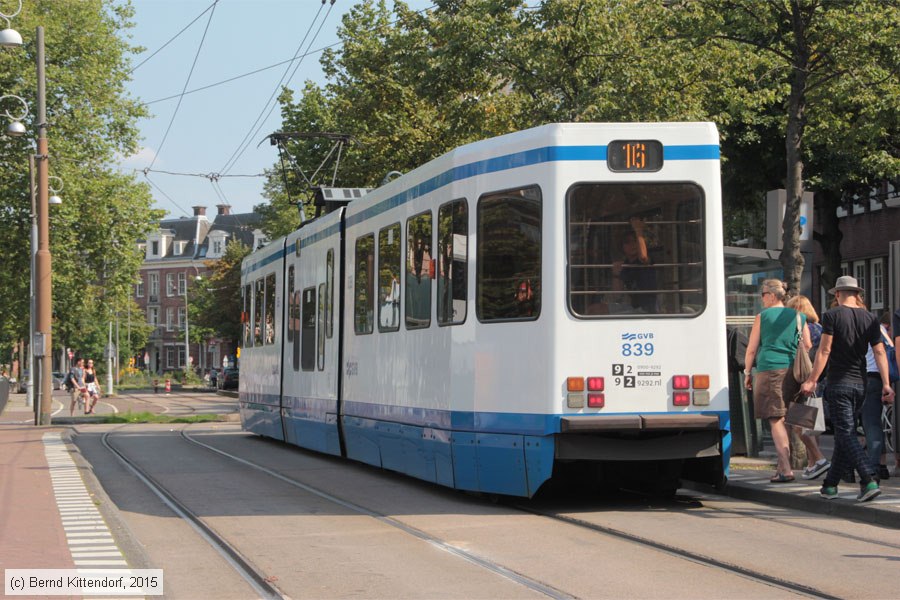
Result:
[847,331]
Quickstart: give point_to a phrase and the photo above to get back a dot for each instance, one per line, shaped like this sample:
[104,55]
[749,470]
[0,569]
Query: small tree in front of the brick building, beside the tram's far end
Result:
[216,302]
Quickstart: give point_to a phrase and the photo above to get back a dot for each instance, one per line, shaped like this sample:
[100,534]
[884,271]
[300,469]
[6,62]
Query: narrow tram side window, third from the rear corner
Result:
[418,271]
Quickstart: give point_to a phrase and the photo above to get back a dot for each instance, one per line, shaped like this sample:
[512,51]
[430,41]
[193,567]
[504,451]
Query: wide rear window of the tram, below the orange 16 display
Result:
[636,249]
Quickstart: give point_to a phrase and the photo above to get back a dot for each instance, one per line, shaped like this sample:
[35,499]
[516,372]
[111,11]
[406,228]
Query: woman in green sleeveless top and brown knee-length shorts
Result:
[772,346]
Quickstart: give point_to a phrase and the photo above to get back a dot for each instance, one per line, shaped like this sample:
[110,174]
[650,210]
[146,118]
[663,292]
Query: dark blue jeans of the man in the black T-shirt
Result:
[843,401]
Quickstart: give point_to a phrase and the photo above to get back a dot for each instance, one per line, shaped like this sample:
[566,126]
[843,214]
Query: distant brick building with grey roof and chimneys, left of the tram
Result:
[174,255]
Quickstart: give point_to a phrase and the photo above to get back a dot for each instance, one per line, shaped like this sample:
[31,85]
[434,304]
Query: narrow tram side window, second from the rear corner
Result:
[453,241]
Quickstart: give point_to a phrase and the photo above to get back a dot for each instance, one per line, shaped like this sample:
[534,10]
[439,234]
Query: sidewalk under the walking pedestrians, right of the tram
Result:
[749,480]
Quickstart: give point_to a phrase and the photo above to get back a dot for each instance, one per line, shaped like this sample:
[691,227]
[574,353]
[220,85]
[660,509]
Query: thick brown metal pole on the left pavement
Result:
[43,262]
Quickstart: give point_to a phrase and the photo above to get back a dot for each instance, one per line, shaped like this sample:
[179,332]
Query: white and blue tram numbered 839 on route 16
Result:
[545,301]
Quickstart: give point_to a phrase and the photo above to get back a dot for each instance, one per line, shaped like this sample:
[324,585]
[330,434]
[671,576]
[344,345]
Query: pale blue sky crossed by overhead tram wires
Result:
[220,130]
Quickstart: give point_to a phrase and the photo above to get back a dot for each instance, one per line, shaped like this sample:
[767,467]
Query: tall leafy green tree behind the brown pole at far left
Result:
[92,120]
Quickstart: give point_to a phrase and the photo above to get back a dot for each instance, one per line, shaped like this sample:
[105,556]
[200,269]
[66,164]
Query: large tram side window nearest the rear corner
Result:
[508,256]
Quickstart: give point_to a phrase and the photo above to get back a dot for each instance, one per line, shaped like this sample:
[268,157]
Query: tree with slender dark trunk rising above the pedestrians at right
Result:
[815,46]
